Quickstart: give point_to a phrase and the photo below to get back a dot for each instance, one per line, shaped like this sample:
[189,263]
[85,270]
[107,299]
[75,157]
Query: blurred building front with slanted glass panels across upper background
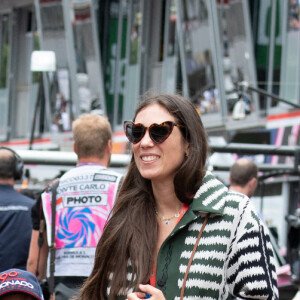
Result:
[222,54]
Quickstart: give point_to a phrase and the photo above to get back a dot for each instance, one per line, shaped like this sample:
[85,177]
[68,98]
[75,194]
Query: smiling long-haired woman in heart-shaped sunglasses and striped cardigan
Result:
[165,199]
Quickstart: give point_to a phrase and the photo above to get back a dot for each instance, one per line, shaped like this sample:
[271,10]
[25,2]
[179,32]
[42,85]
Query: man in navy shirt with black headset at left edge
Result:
[15,209]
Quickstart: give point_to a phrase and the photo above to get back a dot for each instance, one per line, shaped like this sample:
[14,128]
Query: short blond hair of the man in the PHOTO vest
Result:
[91,134]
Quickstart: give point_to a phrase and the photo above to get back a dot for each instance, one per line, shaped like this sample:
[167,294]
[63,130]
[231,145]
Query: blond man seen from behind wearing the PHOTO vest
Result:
[85,197]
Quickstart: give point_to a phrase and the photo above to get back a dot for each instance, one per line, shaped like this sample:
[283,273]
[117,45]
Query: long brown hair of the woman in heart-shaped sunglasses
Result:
[130,235]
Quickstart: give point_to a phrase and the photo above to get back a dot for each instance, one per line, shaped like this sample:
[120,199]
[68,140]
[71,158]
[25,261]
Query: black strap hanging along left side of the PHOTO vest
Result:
[54,186]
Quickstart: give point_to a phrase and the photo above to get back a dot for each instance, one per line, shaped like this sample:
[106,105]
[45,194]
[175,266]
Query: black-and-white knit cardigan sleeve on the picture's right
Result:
[251,272]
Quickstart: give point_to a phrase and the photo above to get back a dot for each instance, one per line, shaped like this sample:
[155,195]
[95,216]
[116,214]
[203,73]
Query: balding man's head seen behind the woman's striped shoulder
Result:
[243,177]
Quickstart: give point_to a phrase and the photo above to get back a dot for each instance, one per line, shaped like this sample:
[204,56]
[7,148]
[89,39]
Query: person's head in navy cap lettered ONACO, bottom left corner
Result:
[16,284]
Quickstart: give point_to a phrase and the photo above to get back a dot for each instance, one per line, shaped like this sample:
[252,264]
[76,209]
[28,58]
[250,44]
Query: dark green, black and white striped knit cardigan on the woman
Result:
[234,258]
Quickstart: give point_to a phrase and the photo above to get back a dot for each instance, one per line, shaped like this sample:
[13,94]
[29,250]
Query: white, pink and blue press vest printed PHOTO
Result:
[85,196]
